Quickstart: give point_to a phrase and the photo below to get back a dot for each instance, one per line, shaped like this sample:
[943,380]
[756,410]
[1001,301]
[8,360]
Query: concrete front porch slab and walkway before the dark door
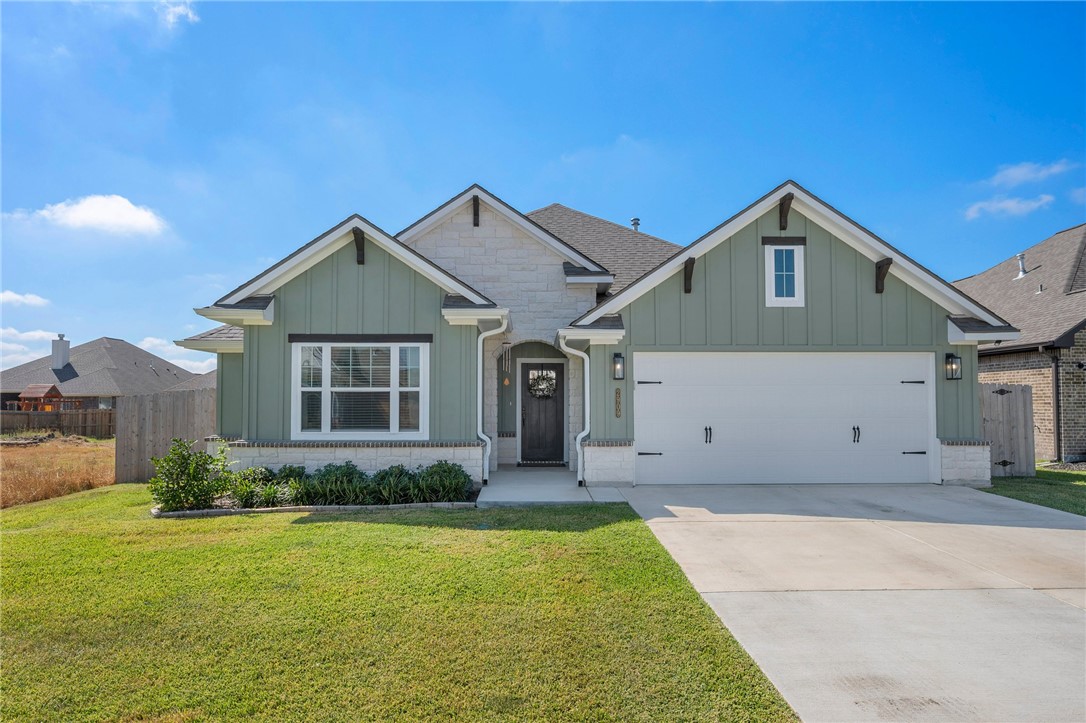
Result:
[520,487]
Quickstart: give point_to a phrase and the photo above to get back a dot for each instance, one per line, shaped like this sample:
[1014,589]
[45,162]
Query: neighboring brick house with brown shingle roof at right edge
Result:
[1043,293]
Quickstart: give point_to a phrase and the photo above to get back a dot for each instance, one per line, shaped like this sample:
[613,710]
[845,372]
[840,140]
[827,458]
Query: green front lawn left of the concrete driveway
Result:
[557,614]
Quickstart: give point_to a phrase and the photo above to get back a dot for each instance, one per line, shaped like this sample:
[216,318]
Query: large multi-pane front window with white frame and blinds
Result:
[360,391]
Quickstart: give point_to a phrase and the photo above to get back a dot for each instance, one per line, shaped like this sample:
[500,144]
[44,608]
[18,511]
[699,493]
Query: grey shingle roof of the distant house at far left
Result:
[104,367]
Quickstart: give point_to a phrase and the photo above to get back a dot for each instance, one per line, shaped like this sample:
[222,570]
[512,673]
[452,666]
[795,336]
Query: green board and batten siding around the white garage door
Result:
[726,312]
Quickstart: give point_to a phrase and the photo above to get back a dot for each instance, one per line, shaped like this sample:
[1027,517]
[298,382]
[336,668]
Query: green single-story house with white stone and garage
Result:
[788,345]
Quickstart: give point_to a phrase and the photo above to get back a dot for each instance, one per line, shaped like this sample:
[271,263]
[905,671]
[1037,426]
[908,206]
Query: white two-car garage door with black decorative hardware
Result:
[748,418]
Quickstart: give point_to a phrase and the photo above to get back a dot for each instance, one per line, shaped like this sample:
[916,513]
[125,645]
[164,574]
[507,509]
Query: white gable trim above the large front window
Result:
[335,239]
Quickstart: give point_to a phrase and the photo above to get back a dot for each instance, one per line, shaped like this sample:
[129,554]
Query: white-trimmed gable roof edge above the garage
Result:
[825,215]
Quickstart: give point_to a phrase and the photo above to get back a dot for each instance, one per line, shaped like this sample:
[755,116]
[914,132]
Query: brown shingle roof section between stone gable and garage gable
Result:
[626,253]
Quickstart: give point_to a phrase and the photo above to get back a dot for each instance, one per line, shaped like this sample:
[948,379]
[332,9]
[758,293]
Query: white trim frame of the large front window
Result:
[326,389]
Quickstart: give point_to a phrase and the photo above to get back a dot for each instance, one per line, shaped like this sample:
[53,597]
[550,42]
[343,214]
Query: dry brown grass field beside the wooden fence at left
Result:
[54,468]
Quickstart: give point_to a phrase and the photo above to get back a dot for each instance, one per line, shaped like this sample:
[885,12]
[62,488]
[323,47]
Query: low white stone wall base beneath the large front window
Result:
[368,456]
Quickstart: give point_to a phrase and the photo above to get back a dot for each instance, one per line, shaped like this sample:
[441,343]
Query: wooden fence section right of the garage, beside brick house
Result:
[1007,423]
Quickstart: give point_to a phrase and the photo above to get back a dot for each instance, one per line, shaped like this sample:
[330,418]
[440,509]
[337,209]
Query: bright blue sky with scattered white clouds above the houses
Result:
[156,156]
